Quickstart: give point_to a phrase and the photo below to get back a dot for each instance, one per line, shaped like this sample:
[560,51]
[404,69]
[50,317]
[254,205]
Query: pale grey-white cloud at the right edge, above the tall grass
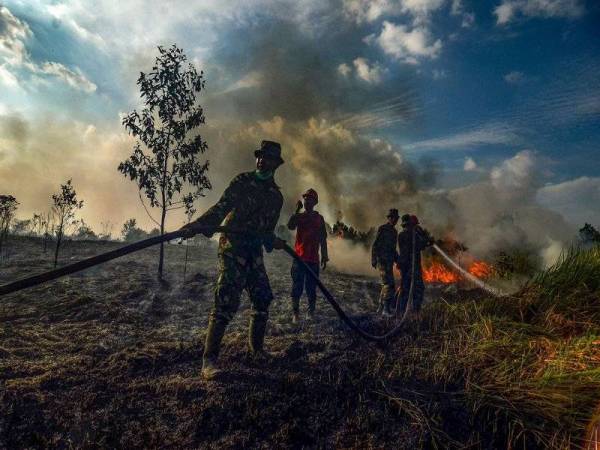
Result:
[577,200]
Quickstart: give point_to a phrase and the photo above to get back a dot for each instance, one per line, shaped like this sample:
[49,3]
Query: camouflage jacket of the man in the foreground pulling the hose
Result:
[248,203]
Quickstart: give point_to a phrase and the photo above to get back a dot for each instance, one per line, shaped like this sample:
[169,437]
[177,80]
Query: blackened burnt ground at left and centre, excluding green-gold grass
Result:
[109,357]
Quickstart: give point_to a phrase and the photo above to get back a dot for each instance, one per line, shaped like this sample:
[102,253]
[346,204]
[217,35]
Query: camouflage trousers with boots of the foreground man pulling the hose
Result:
[238,273]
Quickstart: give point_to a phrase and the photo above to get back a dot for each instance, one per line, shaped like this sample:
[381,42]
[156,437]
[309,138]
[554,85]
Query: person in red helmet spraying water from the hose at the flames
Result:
[422,240]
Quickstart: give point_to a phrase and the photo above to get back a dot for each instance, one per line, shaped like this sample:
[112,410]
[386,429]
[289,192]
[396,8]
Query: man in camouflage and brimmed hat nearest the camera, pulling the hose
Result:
[251,202]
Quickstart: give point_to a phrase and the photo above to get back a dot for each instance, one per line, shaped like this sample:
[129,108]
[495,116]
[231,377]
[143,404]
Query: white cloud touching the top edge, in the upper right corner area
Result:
[509,10]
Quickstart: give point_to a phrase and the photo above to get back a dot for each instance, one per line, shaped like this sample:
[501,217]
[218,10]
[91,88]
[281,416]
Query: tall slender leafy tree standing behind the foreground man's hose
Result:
[165,157]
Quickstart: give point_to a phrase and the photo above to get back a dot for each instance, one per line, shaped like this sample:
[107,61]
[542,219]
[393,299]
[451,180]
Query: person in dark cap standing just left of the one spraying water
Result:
[383,257]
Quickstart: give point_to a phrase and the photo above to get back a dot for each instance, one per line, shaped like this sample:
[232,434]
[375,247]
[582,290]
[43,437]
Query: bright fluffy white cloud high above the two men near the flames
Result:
[408,45]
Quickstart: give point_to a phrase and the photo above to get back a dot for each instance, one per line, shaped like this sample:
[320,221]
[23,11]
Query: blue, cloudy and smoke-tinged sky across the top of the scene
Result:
[461,86]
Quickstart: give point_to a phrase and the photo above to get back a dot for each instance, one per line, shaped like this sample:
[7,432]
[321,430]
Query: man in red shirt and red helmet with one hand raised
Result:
[311,236]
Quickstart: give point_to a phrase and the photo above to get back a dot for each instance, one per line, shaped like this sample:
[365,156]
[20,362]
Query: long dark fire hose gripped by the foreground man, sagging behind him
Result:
[131,248]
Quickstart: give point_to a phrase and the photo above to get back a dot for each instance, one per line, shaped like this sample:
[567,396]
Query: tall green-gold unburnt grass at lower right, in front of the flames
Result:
[526,367]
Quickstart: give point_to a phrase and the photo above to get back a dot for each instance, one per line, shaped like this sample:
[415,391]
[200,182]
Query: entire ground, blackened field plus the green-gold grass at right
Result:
[110,357]
